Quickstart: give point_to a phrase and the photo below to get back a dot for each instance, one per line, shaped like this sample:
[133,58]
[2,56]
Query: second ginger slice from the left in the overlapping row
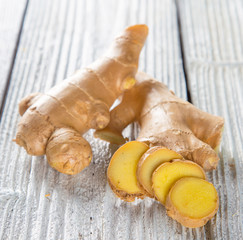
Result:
[151,159]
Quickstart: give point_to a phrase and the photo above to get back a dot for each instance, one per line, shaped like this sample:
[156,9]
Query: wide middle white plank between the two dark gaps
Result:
[58,37]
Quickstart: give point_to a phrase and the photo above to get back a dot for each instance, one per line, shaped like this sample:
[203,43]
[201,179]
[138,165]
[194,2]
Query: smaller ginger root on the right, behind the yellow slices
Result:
[166,120]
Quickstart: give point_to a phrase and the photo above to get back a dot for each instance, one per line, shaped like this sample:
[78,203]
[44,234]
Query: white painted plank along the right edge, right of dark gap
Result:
[212,40]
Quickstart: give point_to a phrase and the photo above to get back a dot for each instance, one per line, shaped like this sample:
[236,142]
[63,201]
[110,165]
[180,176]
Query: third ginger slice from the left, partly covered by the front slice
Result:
[168,173]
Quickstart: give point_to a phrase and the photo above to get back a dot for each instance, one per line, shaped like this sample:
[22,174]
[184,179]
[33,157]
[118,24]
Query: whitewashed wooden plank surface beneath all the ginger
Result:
[195,47]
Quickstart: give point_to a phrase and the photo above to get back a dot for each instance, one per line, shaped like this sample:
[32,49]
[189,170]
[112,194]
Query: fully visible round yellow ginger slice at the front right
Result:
[192,202]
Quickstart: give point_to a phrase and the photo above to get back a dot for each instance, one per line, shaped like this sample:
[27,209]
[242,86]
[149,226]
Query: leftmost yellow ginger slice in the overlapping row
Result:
[121,171]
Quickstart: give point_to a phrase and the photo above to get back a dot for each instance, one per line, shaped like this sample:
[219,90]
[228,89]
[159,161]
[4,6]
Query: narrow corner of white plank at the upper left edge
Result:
[11,14]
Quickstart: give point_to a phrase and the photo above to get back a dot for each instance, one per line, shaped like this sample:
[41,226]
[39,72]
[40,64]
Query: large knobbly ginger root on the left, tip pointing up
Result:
[53,123]
